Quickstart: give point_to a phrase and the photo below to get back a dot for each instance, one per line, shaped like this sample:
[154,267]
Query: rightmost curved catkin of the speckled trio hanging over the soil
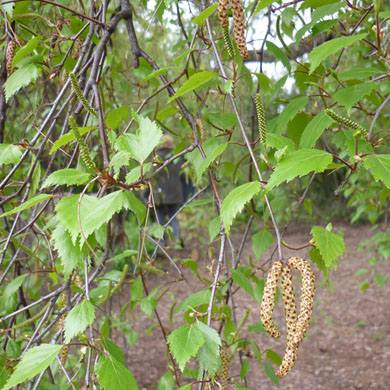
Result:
[307,297]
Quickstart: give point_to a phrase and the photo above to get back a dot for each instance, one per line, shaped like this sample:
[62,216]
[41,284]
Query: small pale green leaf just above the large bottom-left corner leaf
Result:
[78,319]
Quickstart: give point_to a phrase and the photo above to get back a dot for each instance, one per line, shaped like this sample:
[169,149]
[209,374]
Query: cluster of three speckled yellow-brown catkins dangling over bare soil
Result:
[297,325]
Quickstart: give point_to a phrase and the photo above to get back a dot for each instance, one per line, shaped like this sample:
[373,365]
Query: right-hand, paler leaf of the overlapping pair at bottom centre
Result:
[208,354]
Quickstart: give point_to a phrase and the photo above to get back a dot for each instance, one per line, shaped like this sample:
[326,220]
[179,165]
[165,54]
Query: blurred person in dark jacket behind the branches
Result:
[171,189]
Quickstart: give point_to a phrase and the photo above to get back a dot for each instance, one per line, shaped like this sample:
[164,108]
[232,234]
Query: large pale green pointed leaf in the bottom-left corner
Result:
[34,361]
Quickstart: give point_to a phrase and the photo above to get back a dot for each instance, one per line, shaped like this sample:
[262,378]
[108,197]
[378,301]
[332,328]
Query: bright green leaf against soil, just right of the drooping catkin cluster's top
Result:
[330,245]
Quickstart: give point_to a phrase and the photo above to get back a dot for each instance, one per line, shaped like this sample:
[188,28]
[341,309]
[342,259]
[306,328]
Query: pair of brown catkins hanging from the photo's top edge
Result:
[239,24]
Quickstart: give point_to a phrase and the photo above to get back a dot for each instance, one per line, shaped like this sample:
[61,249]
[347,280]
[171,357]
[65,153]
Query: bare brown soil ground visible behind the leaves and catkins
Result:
[348,345]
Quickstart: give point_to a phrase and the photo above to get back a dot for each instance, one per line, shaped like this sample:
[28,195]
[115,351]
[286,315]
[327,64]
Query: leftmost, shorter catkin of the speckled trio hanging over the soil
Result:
[268,301]
